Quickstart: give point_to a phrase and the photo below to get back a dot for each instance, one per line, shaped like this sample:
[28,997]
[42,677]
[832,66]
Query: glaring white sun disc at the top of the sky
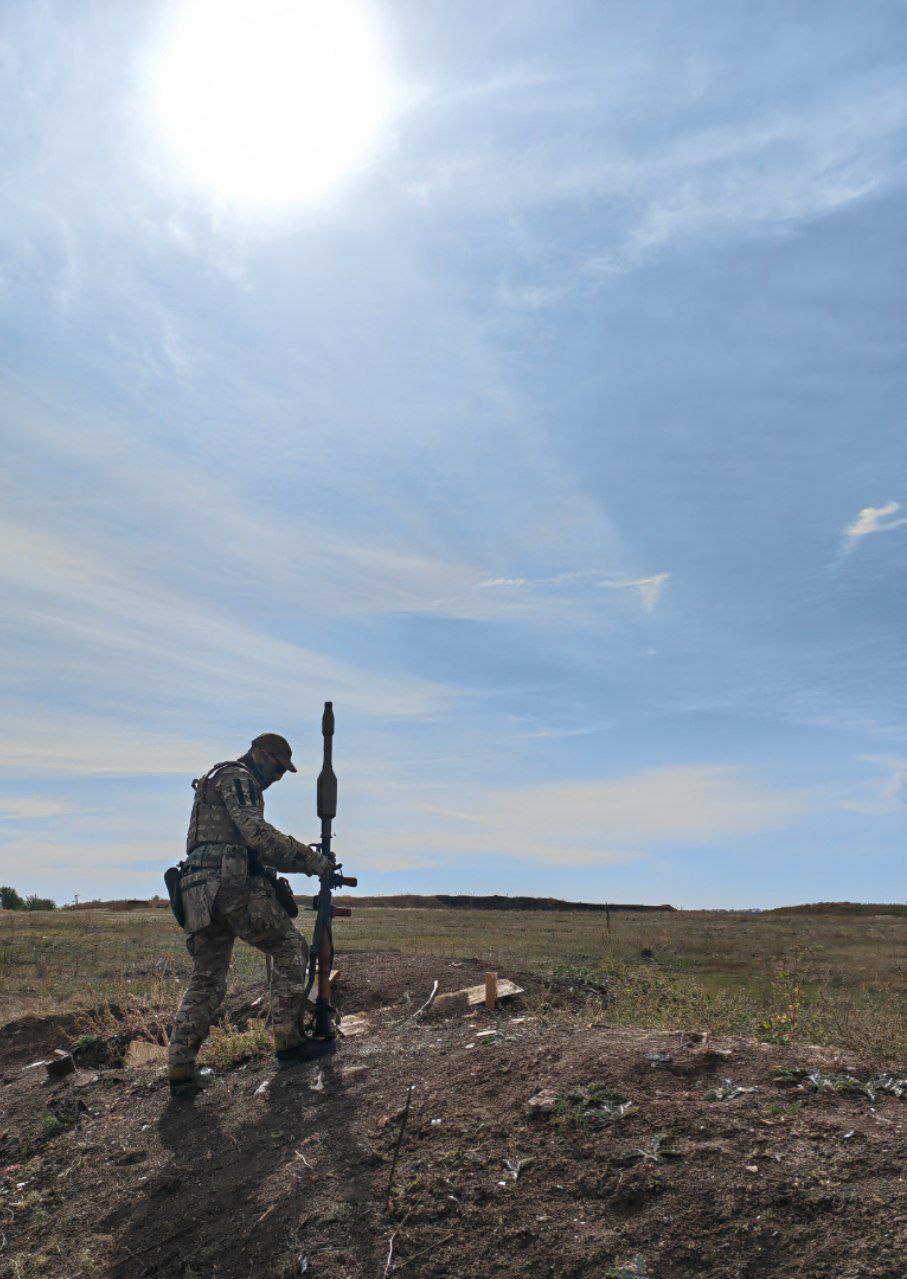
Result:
[269,103]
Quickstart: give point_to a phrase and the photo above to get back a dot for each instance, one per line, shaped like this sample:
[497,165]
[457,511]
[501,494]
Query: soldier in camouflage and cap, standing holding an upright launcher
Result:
[226,896]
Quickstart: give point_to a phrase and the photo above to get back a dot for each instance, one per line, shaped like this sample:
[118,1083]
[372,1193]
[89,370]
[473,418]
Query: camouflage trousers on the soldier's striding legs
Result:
[251,913]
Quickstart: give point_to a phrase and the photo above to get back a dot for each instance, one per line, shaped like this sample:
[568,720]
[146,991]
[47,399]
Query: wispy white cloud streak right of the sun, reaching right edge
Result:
[762,172]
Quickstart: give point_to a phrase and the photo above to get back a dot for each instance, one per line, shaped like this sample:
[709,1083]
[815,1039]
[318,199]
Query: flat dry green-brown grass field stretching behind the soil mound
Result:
[821,979]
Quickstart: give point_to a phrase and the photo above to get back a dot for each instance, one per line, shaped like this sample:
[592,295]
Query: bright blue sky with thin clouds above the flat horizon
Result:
[528,379]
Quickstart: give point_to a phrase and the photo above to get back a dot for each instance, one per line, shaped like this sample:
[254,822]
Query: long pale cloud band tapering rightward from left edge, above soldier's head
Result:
[111,621]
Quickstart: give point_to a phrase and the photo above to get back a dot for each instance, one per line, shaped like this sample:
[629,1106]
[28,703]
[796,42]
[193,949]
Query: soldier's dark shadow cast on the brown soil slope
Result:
[231,1199]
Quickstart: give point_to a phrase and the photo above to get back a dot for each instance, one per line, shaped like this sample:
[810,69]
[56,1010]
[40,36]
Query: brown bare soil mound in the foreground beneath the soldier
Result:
[102,1175]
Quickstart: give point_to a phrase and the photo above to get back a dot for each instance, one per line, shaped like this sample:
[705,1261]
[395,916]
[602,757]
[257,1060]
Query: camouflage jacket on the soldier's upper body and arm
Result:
[230,810]
